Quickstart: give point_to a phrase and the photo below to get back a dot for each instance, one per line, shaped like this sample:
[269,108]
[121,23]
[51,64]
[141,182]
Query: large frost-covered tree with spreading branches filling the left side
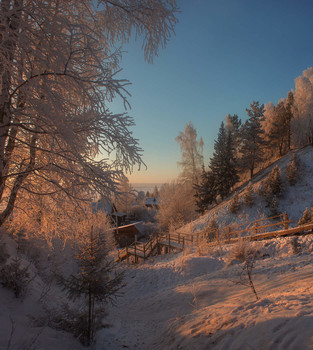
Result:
[59,65]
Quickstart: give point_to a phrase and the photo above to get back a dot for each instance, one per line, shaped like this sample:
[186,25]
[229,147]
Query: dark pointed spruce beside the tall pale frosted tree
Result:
[223,163]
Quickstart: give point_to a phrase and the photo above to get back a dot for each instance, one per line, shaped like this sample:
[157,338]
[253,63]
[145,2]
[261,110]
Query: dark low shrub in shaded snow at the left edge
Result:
[15,277]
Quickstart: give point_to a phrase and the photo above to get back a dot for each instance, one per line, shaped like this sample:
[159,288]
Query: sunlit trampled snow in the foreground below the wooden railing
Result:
[187,301]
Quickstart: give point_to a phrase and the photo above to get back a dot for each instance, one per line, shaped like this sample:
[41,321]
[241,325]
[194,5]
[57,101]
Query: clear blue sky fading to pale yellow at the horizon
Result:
[226,53]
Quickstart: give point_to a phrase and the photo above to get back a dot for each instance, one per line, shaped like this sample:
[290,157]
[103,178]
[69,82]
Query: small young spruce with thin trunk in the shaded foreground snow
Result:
[95,284]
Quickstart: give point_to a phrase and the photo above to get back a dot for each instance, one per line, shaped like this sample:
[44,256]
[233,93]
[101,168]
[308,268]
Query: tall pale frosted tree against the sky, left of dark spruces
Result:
[192,158]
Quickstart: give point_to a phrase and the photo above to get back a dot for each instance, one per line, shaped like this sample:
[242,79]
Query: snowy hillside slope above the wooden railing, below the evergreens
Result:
[293,201]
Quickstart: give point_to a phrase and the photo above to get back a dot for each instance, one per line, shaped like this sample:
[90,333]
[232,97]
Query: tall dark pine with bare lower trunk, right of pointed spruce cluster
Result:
[253,142]
